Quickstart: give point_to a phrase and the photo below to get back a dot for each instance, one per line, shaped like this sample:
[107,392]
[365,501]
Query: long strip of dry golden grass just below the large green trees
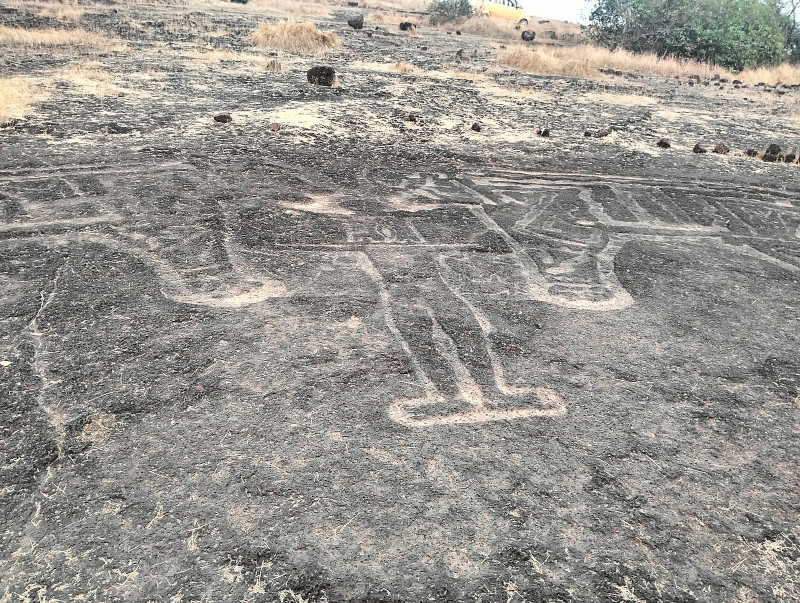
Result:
[586,61]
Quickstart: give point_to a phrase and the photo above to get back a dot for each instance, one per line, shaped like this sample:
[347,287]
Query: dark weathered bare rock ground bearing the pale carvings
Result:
[375,357]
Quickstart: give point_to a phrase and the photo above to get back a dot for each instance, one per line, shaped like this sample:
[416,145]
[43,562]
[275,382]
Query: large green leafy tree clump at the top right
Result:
[734,34]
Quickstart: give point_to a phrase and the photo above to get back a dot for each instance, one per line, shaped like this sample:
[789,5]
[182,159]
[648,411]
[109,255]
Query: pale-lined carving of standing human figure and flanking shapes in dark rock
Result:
[437,250]
